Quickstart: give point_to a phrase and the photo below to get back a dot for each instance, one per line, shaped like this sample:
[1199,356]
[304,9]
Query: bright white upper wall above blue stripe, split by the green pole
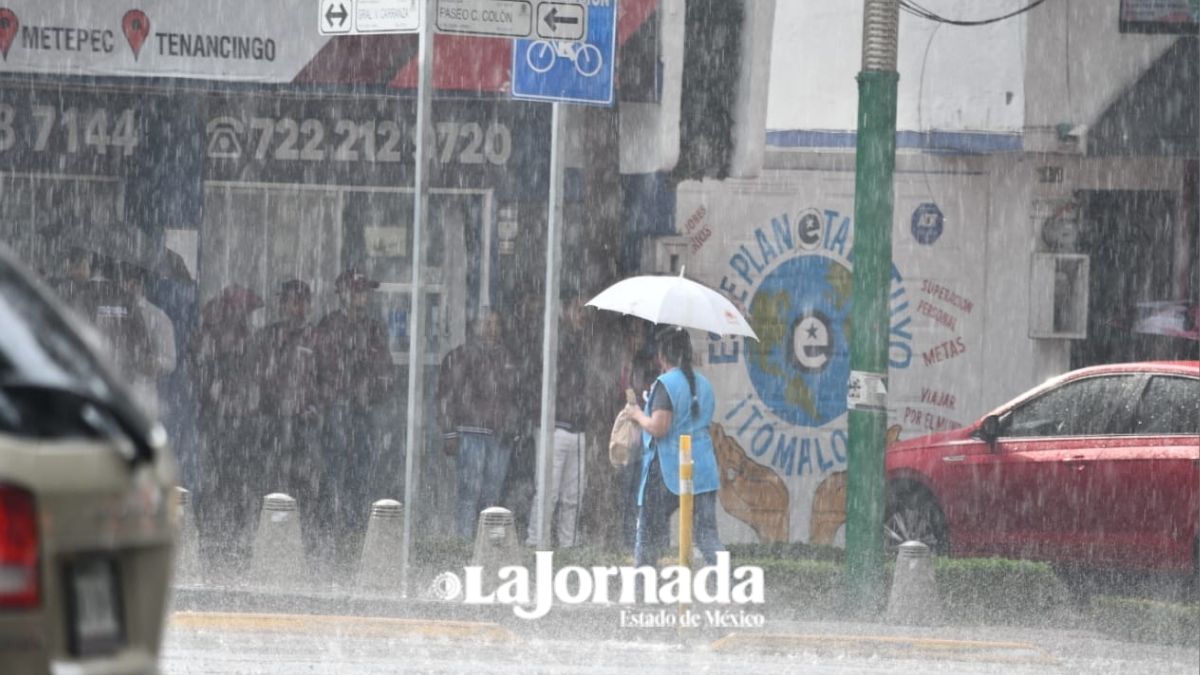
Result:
[971,80]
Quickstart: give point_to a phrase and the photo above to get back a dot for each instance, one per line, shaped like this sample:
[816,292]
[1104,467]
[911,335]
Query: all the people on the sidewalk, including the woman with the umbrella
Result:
[289,407]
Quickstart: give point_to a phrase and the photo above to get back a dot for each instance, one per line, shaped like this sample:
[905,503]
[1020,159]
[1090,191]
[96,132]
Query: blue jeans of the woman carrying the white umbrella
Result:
[655,522]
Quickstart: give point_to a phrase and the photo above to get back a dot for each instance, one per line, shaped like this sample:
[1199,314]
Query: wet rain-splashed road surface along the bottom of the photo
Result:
[224,646]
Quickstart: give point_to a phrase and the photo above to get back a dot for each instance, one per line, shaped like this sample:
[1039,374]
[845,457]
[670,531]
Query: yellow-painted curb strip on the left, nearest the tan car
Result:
[345,626]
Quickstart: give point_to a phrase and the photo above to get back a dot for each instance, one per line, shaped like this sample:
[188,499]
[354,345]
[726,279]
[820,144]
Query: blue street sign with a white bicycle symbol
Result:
[579,73]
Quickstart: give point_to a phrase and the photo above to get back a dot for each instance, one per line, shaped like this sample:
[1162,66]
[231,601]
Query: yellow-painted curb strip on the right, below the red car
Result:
[885,647]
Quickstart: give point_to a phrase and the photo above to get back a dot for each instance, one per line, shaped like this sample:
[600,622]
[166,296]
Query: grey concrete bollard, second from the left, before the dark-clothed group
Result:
[278,560]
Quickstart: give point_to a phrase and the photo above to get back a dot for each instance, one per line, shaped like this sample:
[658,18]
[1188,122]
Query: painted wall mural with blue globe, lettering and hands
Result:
[782,417]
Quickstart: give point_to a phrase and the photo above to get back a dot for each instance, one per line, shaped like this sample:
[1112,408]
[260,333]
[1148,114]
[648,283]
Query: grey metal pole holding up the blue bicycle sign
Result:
[550,325]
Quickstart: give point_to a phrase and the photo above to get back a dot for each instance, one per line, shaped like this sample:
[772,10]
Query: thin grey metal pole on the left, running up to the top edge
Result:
[415,438]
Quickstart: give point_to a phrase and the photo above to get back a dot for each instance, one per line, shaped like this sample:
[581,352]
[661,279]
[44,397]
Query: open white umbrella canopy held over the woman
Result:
[677,302]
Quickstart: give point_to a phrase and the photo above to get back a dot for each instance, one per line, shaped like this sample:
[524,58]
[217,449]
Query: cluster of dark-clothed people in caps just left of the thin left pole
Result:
[290,405]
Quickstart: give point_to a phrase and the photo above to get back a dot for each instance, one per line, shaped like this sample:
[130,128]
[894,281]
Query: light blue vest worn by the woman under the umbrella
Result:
[705,477]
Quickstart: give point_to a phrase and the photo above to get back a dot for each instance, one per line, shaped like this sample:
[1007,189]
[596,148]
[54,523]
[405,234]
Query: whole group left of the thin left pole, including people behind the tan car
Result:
[285,407]
